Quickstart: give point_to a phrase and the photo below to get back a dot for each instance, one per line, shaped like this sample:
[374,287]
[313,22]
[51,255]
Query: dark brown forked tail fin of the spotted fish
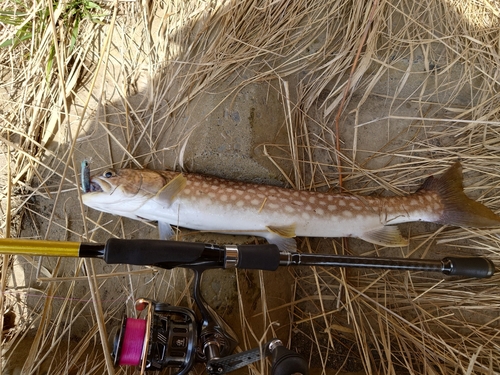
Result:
[459,210]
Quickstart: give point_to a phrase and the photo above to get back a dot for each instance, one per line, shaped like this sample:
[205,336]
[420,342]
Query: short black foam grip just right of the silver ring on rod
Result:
[258,257]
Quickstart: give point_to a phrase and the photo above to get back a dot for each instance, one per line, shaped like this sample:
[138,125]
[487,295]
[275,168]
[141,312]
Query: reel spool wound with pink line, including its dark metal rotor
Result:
[166,338]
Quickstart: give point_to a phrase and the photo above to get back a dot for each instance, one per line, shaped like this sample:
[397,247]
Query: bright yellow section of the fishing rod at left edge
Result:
[21,246]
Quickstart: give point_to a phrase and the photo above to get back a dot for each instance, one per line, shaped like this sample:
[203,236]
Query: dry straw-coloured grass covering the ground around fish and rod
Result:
[127,91]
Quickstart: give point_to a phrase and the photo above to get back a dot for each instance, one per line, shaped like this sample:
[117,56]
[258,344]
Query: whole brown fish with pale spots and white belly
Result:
[209,203]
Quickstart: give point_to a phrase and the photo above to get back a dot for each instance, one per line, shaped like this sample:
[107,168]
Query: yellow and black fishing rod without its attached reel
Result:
[171,254]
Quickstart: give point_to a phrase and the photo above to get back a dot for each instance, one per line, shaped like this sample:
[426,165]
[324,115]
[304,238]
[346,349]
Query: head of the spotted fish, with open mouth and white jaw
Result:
[122,191]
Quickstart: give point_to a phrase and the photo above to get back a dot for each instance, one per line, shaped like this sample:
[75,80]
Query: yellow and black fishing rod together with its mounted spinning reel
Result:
[172,336]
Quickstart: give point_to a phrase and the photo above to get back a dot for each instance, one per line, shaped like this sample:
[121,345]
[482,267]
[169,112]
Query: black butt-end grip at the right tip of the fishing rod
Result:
[469,267]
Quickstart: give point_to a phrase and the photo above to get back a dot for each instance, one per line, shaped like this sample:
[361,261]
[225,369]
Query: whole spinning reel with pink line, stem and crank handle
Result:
[171,337]
